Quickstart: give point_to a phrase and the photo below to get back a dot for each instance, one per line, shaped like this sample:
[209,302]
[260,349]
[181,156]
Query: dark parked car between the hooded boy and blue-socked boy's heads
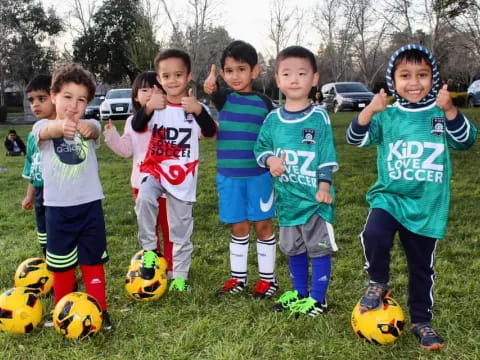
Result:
[341,96]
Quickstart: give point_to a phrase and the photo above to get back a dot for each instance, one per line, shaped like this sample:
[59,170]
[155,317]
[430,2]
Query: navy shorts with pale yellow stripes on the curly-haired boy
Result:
[76,235]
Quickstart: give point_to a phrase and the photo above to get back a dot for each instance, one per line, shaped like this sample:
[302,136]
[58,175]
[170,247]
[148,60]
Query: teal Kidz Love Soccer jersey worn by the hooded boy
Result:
[413,164]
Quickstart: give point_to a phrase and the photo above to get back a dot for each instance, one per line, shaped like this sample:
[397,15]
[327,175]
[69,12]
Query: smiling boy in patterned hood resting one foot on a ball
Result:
[412,193]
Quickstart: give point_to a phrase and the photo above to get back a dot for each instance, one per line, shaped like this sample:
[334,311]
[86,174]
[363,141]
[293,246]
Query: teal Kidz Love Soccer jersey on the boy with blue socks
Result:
[307,140]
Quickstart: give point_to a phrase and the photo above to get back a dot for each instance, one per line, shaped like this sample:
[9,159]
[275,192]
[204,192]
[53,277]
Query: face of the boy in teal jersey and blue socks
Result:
[295,77]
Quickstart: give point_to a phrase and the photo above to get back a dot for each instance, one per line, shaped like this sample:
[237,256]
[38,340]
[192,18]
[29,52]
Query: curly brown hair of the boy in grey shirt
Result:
[73,73]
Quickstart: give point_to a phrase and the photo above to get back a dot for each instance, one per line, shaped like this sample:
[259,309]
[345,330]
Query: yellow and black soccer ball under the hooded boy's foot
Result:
[379,326]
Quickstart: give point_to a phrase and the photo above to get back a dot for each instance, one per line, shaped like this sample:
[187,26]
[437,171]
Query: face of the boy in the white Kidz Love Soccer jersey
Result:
[174,77]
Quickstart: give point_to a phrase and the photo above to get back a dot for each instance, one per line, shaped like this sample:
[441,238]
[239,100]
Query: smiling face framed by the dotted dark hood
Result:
[413,81]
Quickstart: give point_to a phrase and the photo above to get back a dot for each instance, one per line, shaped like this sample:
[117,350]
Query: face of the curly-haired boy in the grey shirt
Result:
[71,101]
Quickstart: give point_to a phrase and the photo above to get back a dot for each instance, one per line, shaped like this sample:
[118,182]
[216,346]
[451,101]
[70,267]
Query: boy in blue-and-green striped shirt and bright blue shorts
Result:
[240,180]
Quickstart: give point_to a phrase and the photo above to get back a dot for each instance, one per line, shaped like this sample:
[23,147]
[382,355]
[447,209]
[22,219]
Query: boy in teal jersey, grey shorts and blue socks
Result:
[296,144]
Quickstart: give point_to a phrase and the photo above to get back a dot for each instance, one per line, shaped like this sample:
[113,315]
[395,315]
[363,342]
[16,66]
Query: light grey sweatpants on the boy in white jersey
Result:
[180,224]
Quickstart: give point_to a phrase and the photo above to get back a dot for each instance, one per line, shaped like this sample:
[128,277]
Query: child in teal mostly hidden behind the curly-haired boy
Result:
[38,94]
